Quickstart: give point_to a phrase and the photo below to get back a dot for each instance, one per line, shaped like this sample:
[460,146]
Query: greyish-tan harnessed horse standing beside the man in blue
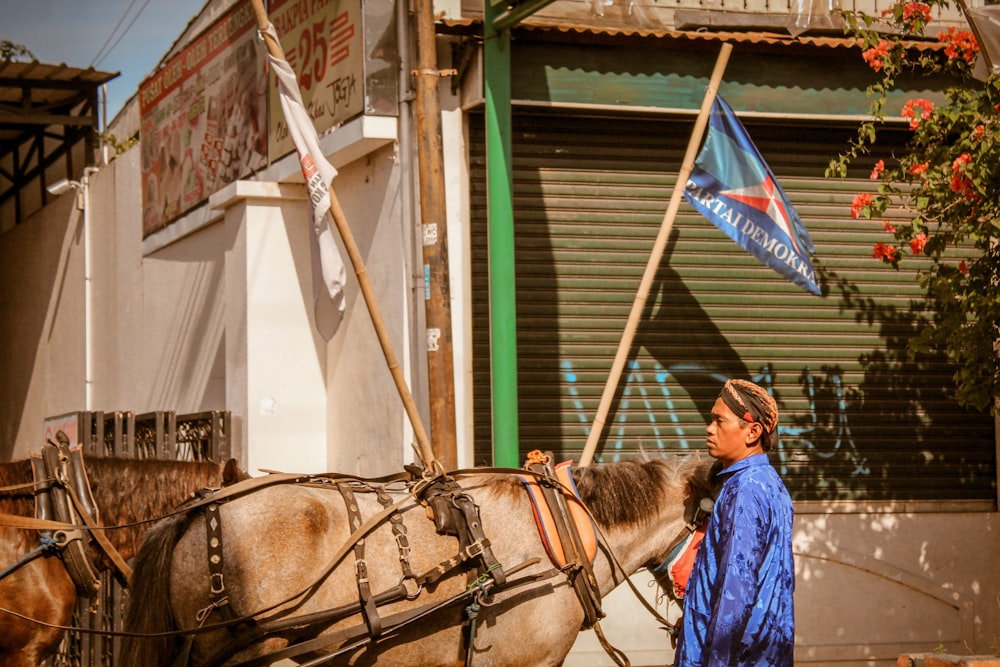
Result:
[288,562]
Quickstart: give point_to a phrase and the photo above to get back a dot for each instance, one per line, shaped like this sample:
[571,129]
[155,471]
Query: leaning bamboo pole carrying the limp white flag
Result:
[424,450]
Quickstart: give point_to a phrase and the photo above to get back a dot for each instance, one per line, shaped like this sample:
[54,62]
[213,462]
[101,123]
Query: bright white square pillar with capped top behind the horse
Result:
[276,356]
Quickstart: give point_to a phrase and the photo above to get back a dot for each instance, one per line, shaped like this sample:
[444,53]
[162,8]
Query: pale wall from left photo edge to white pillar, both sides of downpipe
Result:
[155,326]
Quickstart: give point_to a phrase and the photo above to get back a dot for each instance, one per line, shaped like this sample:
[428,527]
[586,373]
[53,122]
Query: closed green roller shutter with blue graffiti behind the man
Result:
[859,419]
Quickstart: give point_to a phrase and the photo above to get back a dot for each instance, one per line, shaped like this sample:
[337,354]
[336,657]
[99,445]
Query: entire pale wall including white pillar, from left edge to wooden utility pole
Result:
[216,316]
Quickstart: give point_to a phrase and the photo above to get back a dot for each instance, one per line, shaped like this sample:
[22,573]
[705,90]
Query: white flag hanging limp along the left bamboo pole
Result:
[319,174]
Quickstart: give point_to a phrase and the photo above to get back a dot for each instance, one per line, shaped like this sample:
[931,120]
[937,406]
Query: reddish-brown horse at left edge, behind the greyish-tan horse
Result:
[40,594]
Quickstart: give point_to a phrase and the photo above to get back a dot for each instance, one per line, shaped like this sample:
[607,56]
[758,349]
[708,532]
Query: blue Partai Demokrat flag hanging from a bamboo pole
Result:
[733,187]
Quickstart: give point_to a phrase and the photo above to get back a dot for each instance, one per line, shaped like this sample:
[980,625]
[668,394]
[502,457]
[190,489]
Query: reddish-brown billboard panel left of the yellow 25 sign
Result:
[203,118]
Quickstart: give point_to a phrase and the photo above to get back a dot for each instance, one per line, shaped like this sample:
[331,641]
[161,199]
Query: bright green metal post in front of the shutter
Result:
[500,211]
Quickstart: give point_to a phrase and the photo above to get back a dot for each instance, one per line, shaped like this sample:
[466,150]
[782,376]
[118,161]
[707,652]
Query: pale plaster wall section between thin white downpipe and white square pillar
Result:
[156,325]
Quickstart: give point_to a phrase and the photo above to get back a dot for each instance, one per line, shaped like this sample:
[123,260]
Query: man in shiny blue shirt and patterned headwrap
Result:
[738,609]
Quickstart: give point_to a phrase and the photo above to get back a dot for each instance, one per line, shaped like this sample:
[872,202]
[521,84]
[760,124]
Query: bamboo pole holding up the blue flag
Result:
[656,255]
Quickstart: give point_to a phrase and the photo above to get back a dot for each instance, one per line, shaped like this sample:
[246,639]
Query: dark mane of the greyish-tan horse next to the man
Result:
[620,494]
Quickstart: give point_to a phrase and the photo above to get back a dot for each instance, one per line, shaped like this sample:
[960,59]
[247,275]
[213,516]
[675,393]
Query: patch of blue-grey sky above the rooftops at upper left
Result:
[126,36]
